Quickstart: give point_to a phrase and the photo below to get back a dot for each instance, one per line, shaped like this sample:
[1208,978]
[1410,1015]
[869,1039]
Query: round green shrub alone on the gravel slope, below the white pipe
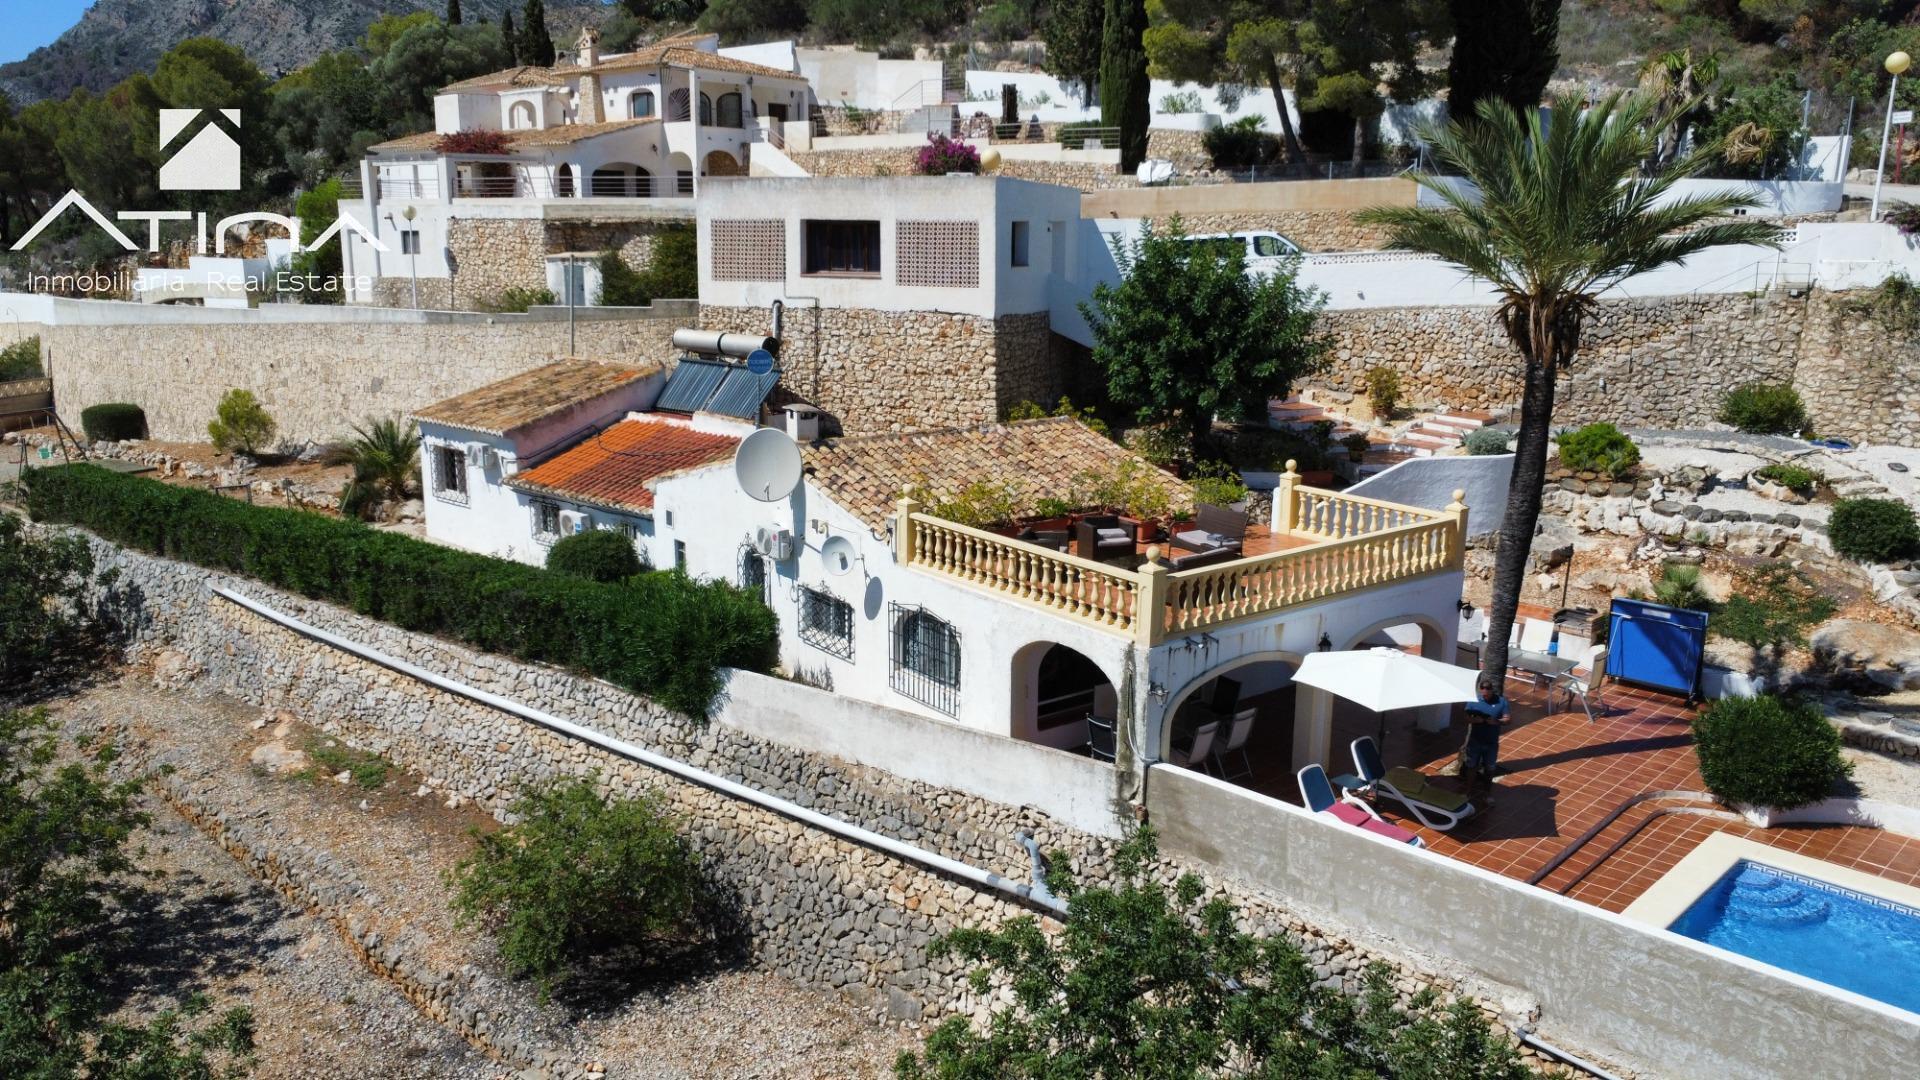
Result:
[579,877]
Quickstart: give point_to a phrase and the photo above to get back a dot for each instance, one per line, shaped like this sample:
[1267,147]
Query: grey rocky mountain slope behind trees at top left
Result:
[118,37]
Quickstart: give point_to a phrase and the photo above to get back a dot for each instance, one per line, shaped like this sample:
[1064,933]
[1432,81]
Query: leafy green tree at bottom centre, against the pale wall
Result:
[1149,983]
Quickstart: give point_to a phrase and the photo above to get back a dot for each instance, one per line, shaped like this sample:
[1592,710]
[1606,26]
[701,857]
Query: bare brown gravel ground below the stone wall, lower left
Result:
[398,845]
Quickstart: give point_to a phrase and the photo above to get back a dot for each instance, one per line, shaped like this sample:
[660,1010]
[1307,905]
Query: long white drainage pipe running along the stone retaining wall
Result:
[865,837]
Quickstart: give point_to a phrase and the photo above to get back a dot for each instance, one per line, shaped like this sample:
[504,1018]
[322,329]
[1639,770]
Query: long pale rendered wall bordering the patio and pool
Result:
[1635,994]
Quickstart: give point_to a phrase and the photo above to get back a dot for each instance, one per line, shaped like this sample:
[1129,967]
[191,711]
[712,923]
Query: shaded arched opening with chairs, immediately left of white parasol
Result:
[1251,704]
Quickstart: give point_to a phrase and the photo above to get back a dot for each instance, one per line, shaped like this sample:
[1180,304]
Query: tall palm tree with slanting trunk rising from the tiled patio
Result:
[1554,216]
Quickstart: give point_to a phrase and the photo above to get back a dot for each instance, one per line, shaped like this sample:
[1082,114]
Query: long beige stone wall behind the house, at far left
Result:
[320,378]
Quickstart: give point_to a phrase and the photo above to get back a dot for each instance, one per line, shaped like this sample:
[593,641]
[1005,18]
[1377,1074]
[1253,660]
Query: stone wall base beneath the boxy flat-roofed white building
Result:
[880,372]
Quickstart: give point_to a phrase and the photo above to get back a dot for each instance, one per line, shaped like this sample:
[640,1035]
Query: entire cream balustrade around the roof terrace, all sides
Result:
[1324,547]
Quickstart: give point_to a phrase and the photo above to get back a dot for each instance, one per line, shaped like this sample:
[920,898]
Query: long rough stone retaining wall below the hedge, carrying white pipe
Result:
[815,908]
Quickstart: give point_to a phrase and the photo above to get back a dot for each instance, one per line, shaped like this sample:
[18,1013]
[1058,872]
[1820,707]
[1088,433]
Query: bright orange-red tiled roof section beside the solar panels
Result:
[619,466]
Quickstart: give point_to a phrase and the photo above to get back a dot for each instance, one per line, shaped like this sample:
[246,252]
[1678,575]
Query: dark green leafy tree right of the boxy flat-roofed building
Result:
[1189,335]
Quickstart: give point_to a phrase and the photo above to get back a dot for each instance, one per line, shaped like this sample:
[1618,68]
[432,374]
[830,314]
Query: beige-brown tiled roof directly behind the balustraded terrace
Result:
[1045,458]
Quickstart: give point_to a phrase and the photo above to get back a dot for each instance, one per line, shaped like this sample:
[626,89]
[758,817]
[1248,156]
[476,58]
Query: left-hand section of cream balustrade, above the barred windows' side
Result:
[1074,587]
